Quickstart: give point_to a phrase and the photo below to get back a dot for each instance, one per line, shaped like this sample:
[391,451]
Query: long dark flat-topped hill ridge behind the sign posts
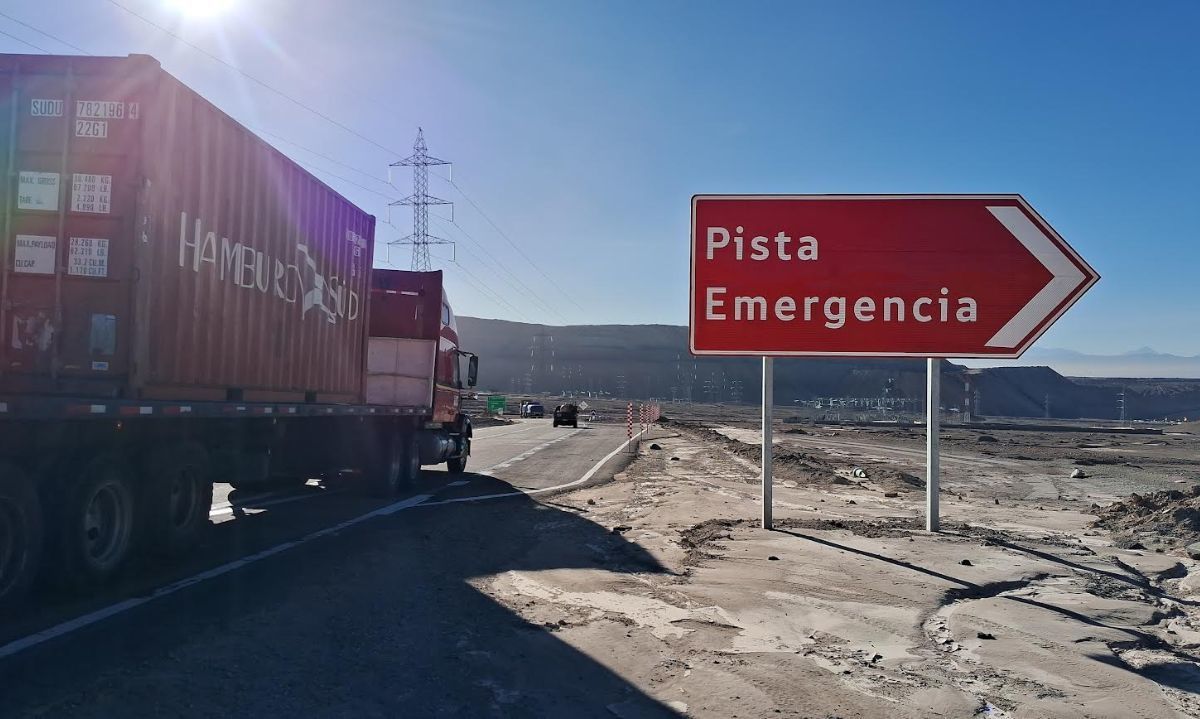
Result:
[653,362]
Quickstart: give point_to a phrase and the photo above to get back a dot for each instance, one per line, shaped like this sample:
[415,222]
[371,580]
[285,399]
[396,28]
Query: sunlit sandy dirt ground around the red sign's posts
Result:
[1021,608]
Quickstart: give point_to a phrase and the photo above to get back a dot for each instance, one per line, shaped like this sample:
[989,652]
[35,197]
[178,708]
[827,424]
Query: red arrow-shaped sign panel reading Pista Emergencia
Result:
[938,275]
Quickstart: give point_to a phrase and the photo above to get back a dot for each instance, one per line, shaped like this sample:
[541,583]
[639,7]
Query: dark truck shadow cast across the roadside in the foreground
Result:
[395,616]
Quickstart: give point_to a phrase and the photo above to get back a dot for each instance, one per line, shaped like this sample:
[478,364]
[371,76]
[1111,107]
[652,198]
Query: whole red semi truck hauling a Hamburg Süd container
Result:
[183,304]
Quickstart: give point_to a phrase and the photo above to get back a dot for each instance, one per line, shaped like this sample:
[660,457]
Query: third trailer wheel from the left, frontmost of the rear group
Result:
[178,499]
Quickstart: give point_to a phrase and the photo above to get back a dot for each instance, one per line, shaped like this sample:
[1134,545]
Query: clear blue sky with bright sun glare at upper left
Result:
[583,129]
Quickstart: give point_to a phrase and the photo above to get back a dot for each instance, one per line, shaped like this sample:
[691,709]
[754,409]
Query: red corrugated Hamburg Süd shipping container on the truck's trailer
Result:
[155,248]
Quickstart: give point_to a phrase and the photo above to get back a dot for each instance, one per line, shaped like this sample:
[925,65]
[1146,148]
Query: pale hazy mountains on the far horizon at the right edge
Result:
[1143,362]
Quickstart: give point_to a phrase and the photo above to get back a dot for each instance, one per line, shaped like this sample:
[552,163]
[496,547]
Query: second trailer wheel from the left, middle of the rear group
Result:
[98,522]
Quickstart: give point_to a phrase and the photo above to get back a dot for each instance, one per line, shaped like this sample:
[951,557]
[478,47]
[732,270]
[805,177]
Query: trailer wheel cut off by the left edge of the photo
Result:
[21,537]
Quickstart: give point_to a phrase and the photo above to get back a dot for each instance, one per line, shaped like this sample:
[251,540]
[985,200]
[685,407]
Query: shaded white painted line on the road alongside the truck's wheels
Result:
[21,645]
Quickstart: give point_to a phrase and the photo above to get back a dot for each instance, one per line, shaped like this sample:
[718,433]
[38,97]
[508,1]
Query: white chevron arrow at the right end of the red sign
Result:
[1066,277]
